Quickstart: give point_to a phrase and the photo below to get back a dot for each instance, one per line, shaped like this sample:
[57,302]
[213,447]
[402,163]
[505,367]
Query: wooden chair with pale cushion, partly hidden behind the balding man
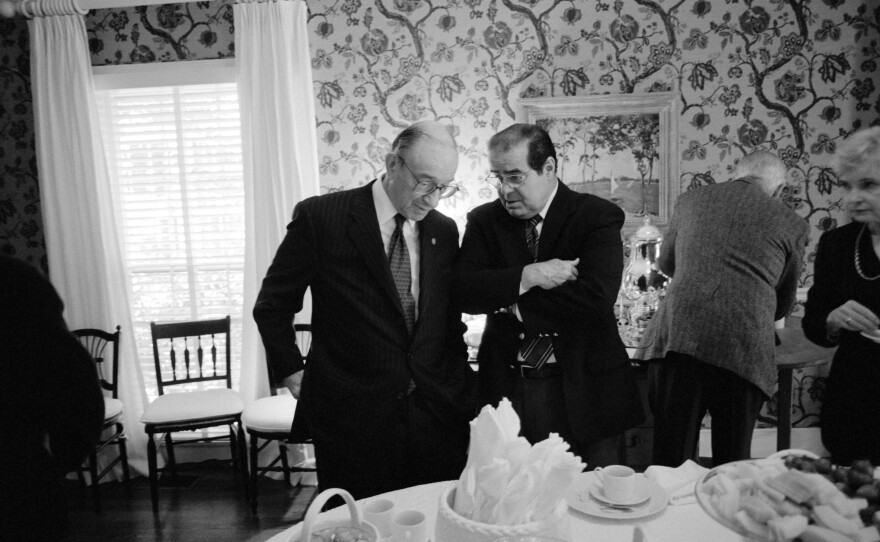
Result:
[270,419]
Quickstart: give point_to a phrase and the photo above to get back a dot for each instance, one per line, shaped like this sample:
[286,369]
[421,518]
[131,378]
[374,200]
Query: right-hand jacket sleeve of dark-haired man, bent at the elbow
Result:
[597,242]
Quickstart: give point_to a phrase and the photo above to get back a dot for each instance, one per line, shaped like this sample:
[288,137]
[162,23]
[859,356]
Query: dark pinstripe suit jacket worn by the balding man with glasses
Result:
[361,355]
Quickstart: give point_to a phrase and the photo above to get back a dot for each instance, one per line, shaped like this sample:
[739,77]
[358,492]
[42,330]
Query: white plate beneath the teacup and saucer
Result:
[579,498]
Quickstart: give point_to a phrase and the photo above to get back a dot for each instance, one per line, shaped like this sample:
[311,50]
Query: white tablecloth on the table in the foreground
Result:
[677,523]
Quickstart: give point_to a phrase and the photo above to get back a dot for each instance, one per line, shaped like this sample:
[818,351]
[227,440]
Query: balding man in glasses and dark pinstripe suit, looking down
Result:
[387,392]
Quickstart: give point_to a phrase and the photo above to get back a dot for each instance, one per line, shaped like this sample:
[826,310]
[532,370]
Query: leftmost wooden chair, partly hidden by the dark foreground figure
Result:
[103,347]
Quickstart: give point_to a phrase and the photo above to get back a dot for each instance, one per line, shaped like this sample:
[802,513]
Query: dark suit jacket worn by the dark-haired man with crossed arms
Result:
[600,389]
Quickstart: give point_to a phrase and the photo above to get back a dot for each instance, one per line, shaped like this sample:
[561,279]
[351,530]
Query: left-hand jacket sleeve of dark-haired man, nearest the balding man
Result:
[480,284]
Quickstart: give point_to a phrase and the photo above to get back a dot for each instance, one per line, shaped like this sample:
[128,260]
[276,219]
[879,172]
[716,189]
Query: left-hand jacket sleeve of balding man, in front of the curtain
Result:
[281,294]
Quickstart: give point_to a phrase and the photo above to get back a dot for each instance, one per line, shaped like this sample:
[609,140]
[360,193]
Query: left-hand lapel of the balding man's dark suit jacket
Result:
[363,229]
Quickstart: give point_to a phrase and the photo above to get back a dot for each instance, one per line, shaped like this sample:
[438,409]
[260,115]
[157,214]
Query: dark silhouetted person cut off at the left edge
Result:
[51,408]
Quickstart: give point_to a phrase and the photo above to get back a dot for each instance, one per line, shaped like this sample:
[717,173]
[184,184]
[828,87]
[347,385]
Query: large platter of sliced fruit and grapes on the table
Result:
[794,497]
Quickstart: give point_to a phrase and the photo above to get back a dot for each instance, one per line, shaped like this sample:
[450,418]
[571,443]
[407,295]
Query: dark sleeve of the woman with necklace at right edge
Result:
[824,296]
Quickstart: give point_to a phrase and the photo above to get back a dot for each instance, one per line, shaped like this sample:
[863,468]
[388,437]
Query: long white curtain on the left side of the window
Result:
[82,244]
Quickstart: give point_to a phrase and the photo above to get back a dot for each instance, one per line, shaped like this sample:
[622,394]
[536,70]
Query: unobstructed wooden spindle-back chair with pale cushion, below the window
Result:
[195,392]
